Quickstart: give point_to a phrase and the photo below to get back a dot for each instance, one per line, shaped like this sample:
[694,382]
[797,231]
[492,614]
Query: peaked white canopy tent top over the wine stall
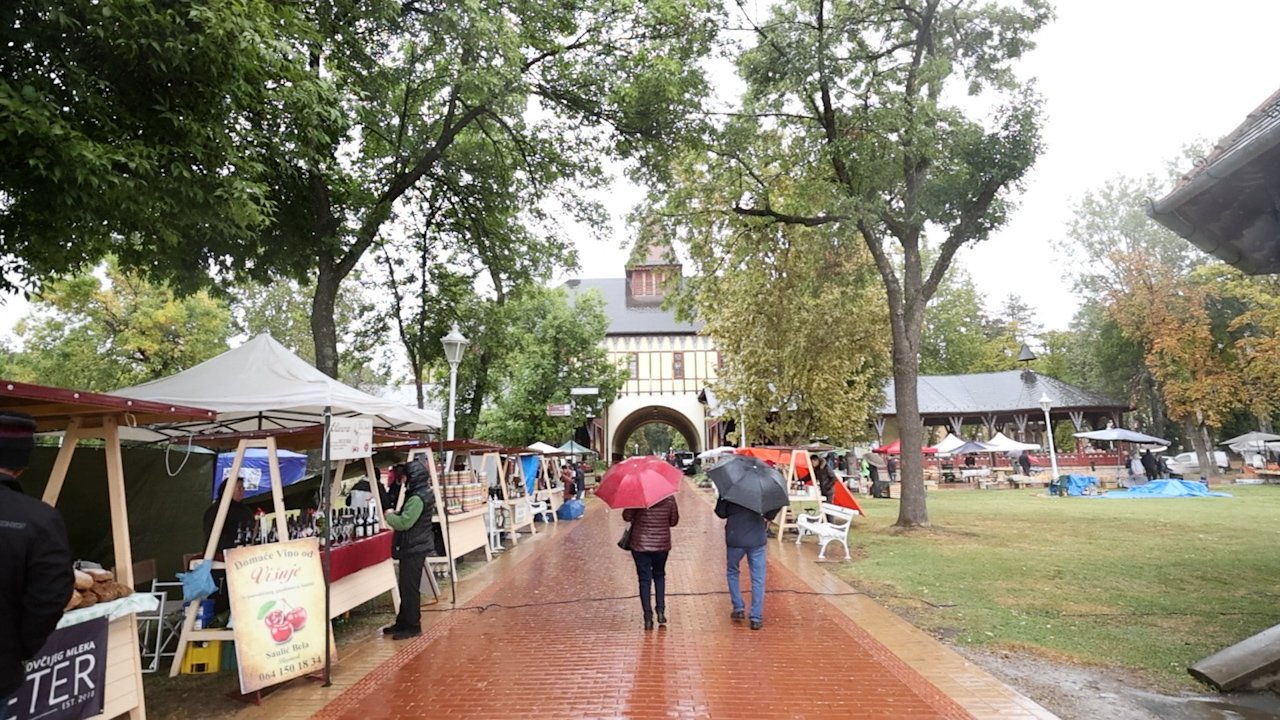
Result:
[262,386]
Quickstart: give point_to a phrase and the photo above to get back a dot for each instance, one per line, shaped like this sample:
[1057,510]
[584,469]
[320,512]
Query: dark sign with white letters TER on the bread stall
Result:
[65,681]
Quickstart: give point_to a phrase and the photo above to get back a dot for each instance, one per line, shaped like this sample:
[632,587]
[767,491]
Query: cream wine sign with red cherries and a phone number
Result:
[277,595]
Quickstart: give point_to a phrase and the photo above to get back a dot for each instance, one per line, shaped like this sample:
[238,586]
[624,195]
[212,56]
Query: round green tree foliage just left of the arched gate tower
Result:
[556,345]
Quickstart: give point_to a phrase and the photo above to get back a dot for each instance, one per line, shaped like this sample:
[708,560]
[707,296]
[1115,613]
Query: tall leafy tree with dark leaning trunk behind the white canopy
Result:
[564,84]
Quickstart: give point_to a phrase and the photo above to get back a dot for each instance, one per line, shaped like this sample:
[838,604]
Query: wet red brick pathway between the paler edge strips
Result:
[561,637]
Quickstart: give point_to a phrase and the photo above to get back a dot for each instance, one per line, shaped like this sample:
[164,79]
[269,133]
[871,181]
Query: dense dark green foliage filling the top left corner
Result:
[138,129]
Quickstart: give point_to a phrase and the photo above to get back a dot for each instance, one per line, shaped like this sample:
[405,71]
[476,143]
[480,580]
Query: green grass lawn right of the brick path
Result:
[1150,585]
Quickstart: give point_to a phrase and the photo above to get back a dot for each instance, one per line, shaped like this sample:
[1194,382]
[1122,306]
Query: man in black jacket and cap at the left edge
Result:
[36,578]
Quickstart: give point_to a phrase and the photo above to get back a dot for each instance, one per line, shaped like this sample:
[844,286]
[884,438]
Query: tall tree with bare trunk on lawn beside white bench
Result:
[857,117]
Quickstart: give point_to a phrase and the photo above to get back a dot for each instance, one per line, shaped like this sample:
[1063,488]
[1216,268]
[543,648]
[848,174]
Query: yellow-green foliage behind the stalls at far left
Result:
[86,334]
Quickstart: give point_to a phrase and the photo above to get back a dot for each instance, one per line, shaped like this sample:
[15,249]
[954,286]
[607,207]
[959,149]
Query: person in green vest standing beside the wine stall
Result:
[413,544]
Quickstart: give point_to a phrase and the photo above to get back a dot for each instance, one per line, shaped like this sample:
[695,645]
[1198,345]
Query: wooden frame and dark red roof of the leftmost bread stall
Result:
[90,416]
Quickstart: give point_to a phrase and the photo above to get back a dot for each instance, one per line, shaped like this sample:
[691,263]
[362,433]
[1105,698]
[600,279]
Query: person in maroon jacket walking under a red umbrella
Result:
[646,490]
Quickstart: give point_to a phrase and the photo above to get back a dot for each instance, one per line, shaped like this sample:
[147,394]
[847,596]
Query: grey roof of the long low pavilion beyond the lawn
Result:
[1011,391]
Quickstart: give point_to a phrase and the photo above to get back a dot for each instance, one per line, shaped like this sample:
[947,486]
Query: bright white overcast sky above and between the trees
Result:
[1127,84]
